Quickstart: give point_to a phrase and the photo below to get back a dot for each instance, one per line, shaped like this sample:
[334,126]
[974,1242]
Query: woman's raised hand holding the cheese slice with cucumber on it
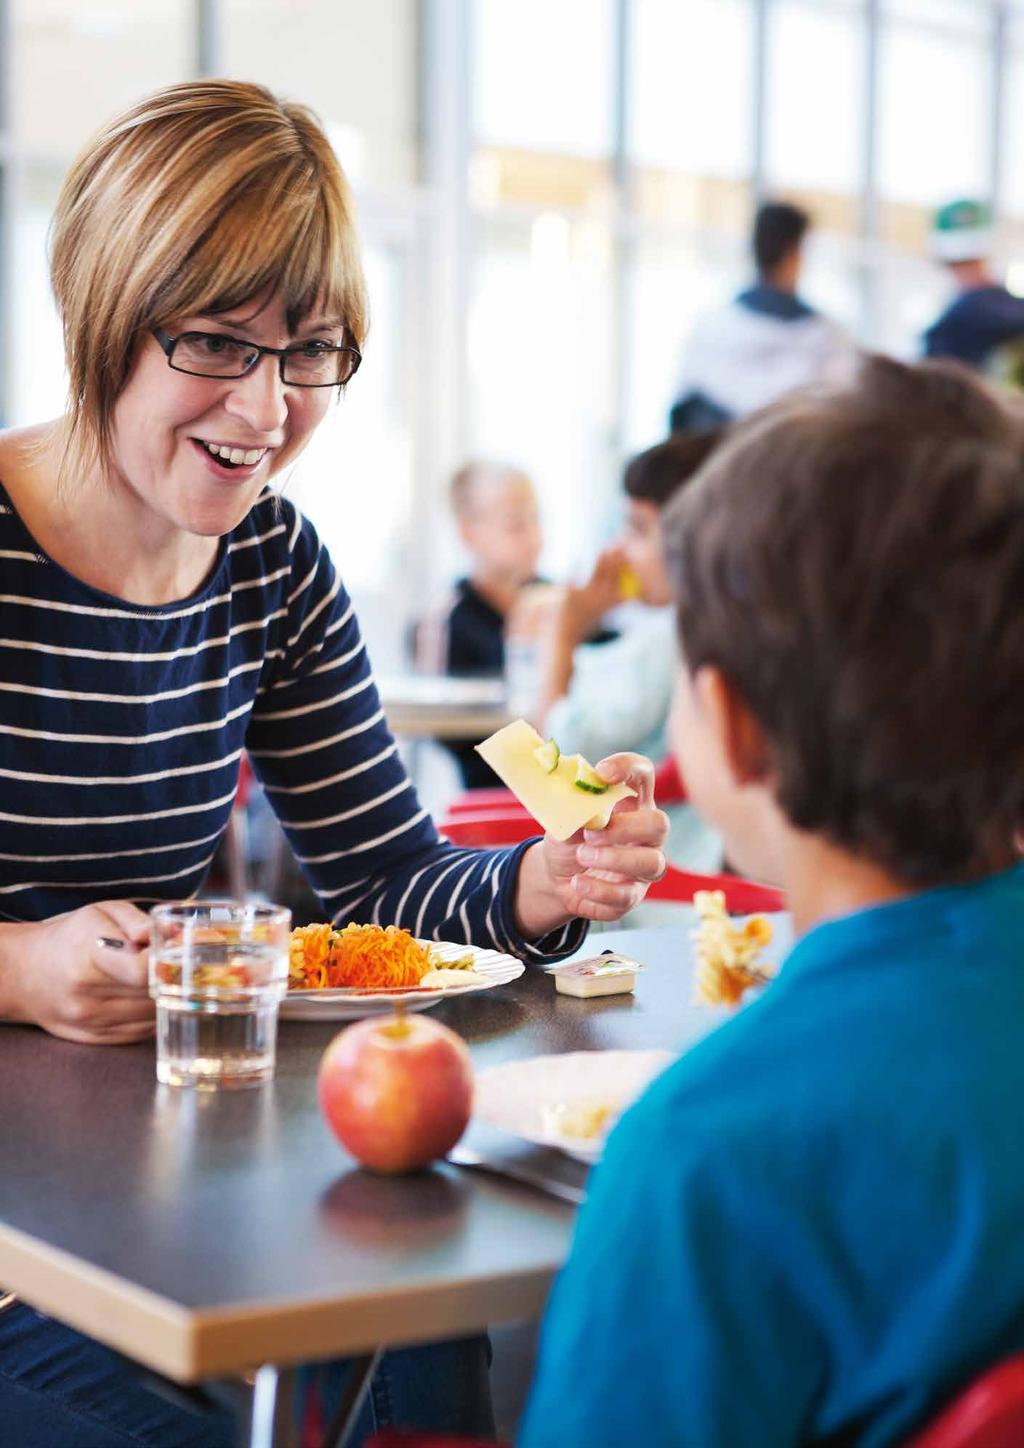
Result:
[597,874]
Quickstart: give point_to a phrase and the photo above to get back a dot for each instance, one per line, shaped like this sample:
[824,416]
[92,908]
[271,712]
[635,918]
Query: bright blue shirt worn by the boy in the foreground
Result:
[812,1227]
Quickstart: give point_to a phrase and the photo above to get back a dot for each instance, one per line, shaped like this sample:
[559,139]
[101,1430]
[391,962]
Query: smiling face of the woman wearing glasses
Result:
[166,424]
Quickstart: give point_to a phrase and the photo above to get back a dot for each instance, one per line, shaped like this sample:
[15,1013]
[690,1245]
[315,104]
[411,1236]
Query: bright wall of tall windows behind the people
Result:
[548,192]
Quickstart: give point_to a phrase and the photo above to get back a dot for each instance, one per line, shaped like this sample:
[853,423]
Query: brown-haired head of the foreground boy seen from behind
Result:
[849,573]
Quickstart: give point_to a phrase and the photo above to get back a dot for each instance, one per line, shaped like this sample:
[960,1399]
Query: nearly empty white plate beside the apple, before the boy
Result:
[518,1097]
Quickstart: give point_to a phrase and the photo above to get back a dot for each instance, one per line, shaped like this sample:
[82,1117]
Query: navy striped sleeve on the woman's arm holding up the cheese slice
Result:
[322,748]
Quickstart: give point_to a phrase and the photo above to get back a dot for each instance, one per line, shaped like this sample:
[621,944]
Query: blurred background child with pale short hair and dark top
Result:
[496,513]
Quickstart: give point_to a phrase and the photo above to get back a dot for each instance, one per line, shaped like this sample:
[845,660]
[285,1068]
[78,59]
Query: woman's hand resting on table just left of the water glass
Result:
[57,975]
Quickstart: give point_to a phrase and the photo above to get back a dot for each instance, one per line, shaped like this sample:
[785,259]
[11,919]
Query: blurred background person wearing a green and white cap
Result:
[984,325]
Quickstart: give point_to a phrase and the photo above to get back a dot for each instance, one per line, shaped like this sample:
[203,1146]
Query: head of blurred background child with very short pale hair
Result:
[496,510]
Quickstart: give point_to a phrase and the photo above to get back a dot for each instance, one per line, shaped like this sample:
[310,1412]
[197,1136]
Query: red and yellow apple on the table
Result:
[398,1093]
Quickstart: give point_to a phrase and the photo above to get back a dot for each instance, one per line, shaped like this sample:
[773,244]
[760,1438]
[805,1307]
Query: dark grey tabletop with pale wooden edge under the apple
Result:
[202,1233]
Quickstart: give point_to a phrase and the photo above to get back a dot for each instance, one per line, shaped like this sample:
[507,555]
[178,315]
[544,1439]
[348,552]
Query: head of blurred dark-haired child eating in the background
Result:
[652,479]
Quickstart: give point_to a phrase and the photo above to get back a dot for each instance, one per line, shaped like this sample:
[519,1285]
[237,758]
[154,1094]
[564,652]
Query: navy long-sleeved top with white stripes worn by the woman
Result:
[122,729]
